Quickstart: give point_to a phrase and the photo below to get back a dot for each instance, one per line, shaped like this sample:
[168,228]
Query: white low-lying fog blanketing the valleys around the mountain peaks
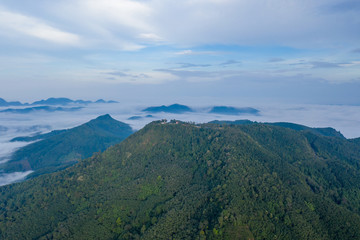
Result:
[345,119]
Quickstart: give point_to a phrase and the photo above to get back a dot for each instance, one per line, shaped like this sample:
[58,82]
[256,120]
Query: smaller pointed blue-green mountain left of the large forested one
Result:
[62,148]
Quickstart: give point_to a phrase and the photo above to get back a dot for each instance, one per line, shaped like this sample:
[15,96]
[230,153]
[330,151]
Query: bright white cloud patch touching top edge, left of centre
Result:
[109,24]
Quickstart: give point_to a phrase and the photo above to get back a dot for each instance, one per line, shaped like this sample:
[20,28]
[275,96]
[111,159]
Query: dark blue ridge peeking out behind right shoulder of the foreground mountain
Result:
[329,132]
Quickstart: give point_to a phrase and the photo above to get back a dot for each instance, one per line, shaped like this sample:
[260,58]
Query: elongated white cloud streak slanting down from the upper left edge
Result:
[34,27]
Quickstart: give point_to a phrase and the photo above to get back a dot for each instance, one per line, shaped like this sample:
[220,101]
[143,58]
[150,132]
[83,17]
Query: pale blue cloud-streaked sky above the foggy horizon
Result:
[287,51]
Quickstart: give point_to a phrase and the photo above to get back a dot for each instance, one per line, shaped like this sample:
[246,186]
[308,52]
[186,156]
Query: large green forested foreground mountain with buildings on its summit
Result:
[184,181]
